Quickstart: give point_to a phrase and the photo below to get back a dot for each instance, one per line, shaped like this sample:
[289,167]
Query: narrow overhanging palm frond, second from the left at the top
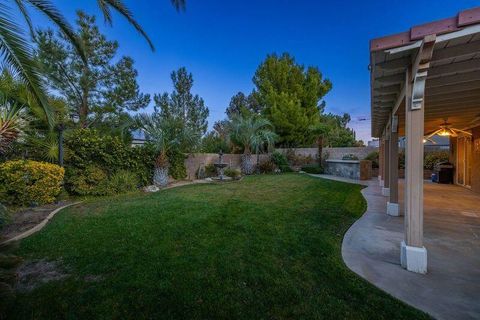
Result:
[49,10]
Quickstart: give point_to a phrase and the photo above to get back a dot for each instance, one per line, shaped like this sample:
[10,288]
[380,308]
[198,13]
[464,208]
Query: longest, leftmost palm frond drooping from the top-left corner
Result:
[16,53]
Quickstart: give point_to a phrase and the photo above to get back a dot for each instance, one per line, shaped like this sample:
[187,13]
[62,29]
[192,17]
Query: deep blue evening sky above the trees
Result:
[222,42]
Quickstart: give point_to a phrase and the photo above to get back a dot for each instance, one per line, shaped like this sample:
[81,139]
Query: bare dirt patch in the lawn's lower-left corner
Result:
[31,274]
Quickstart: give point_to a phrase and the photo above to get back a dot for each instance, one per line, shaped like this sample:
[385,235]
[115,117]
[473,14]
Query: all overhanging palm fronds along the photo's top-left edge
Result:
[15,48]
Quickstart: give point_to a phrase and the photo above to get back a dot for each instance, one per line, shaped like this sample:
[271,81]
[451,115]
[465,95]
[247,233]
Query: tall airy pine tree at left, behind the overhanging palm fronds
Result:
[97,88]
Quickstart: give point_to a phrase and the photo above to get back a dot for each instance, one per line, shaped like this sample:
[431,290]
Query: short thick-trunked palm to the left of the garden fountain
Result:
[163,133]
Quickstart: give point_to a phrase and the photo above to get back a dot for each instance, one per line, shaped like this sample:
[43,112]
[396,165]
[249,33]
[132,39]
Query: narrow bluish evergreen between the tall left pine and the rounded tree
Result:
[186,110]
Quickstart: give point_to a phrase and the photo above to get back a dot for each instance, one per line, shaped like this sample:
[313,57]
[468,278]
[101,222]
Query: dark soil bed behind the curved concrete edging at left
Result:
[26,219]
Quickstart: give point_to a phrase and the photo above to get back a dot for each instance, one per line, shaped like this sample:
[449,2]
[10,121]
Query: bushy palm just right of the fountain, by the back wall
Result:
[250,132]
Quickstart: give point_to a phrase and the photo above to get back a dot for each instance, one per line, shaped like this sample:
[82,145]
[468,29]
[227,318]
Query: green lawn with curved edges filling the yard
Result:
[268,247]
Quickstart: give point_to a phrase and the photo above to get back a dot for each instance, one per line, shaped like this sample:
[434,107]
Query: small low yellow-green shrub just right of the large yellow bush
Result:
[92,181]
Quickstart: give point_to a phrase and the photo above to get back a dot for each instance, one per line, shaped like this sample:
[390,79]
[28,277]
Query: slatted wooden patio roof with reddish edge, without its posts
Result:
[452,88]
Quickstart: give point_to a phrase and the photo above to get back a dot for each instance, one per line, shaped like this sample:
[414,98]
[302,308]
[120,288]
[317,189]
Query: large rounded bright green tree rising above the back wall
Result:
[290,96]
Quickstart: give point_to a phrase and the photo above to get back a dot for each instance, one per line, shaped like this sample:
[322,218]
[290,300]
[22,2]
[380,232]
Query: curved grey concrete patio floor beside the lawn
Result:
[451,288]
